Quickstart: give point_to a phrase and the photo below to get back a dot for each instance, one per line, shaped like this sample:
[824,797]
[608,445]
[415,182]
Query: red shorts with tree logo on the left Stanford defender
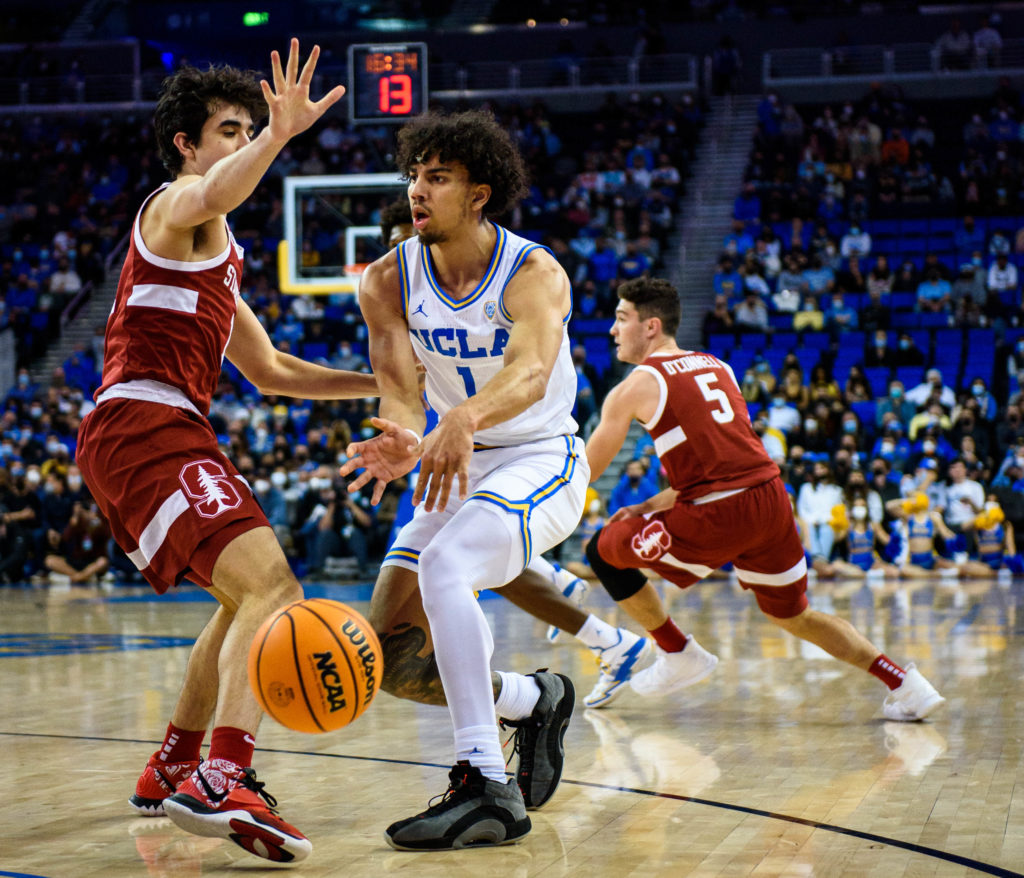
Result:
[173,499]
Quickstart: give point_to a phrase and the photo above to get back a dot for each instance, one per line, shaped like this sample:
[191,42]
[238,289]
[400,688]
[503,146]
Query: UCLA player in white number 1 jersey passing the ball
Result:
[502,476]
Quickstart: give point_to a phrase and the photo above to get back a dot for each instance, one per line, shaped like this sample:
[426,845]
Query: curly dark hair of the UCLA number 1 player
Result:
[477,140]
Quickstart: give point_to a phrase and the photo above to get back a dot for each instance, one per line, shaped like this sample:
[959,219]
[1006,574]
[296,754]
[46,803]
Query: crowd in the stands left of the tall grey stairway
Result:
[606,191]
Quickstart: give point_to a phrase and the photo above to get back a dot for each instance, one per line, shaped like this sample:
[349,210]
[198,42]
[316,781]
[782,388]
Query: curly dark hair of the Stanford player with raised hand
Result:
[190,97]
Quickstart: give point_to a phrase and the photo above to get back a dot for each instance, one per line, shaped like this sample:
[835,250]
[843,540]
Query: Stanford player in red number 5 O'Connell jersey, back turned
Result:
[727,503]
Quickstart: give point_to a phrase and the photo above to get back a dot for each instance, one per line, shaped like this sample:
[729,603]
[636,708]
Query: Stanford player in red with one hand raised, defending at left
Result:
[177,505]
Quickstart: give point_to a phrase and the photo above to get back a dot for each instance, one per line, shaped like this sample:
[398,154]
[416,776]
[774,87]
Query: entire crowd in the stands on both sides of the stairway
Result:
[868,300]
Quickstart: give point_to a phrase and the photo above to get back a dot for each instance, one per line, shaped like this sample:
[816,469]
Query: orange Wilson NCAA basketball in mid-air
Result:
[316,665]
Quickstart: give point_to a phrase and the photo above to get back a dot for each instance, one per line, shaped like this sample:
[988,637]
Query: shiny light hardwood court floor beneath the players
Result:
[779,765]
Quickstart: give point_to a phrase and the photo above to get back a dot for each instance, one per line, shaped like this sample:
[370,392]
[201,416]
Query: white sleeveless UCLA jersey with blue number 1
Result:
[462,344]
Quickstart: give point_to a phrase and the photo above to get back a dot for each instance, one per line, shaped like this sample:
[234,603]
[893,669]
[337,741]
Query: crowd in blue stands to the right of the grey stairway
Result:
[868,298]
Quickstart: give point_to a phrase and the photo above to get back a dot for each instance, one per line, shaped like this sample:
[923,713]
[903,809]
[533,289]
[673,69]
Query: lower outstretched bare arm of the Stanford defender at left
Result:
[275,372]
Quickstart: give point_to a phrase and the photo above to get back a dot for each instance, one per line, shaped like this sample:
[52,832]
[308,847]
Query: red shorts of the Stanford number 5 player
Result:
[754,530]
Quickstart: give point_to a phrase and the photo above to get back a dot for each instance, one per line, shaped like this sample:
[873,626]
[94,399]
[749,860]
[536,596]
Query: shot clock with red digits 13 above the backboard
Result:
[388,83]
